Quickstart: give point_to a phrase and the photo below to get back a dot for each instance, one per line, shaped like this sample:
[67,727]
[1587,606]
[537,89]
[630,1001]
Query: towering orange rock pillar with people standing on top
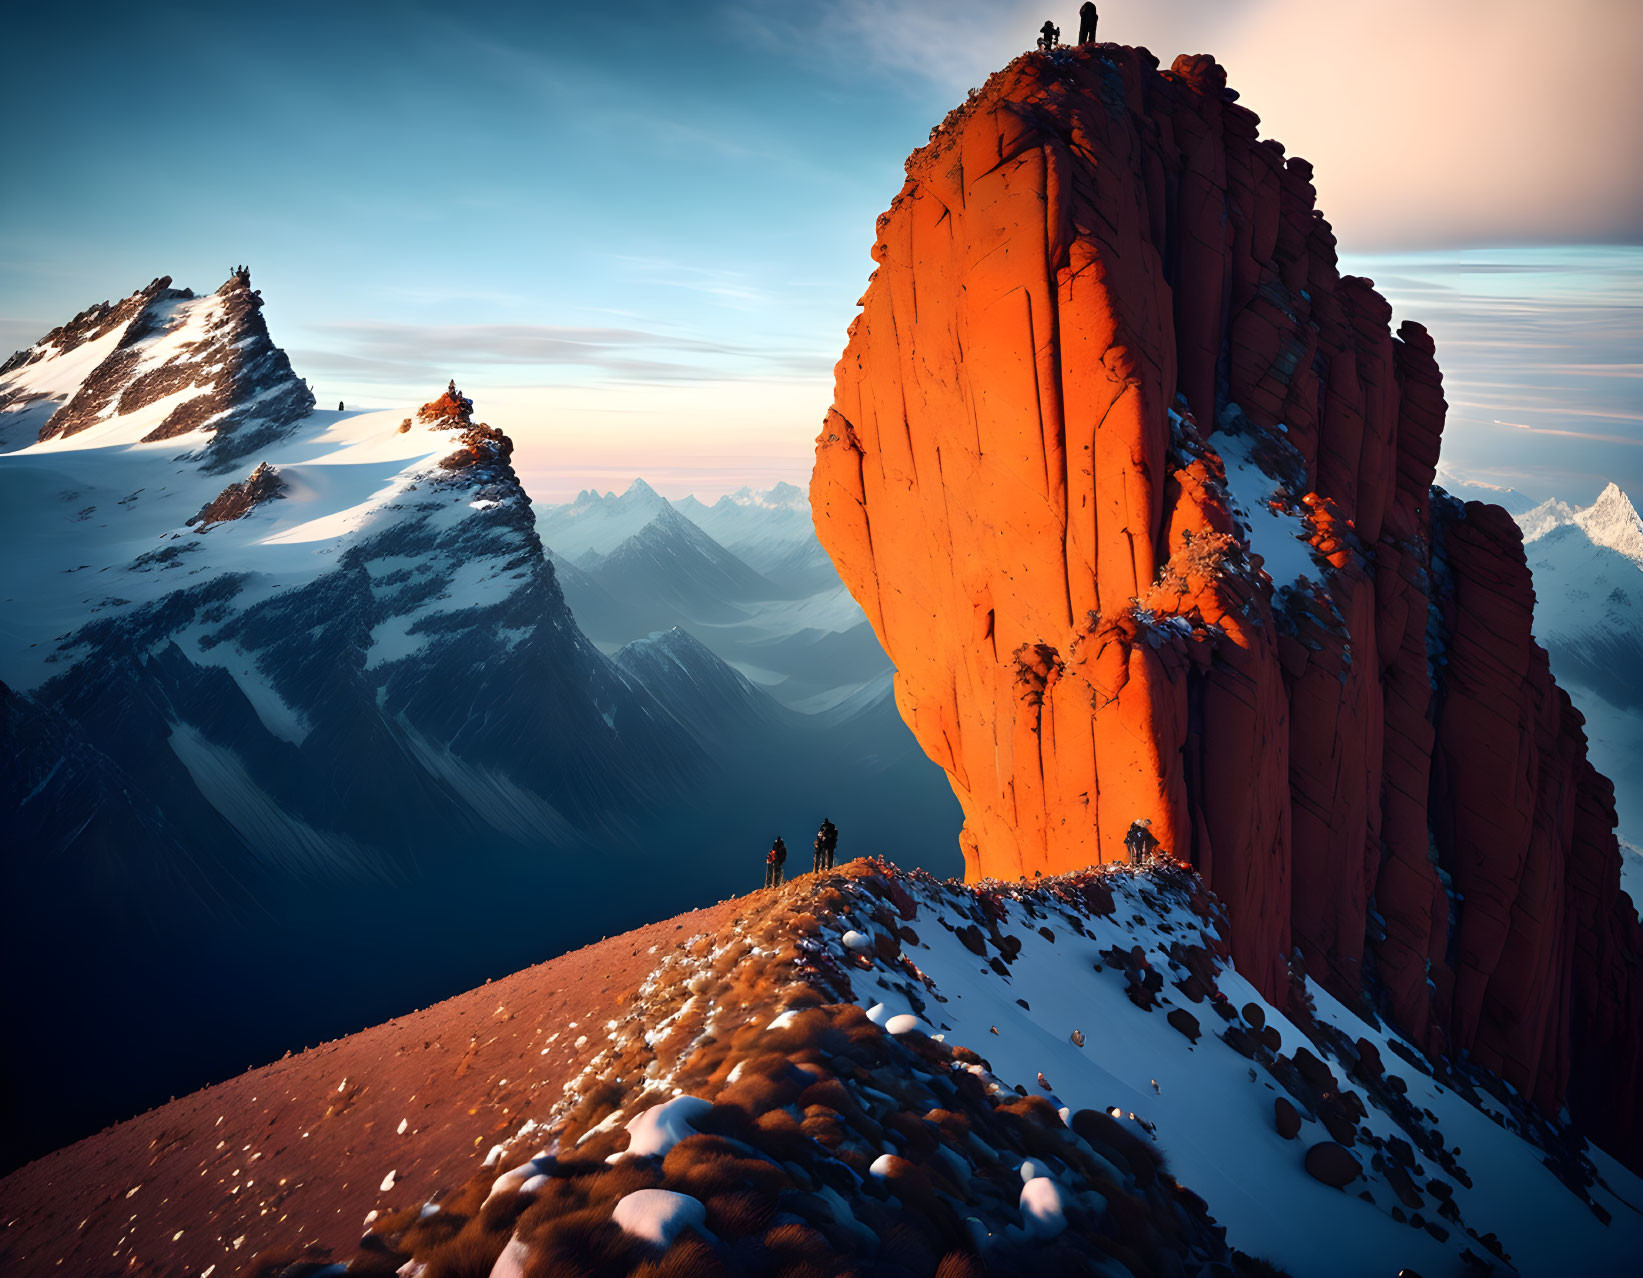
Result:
[1136,490]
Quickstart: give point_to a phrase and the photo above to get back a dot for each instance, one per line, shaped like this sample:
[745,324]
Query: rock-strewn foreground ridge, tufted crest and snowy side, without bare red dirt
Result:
[1008,1075]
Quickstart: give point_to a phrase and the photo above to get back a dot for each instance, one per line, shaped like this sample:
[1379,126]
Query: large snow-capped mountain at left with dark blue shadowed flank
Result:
[259,715]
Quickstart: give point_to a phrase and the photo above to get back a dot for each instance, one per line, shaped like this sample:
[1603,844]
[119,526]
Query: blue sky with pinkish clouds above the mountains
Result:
[637,236]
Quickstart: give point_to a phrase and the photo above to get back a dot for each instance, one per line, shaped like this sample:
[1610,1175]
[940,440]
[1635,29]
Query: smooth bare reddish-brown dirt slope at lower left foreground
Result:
[300,1149]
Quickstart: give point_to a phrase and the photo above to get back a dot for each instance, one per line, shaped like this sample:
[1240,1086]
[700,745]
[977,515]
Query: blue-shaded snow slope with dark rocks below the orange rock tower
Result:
[1213,1116]
